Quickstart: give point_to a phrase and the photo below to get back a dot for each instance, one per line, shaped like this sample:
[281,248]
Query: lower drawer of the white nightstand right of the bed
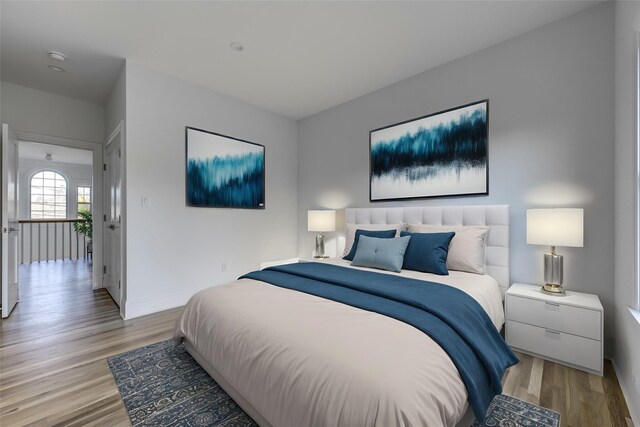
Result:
[563,347]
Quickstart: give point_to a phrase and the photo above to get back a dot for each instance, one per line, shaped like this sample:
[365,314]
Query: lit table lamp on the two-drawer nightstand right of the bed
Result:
[555,227]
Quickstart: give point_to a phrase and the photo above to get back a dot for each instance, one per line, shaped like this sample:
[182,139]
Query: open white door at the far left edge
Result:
[9,220]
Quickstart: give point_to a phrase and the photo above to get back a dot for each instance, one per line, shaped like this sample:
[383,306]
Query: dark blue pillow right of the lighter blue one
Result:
[427,252]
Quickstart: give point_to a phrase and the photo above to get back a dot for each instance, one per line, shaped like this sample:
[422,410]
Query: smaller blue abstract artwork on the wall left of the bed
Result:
[224,172]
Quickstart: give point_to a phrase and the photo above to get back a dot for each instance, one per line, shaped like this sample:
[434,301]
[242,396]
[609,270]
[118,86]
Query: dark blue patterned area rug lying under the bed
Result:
[162,385]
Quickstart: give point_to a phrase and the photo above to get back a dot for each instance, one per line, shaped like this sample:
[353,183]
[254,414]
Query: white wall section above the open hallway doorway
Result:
[44,113]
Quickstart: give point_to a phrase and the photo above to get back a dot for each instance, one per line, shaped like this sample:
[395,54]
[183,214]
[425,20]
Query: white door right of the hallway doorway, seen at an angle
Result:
[112,190]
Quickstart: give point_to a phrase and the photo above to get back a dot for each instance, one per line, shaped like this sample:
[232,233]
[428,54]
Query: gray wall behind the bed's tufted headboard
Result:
[550,142]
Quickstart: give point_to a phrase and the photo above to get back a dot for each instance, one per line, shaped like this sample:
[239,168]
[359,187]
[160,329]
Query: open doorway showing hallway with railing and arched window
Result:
[55,205]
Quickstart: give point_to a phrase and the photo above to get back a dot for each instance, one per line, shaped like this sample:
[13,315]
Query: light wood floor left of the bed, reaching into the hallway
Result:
[53,349]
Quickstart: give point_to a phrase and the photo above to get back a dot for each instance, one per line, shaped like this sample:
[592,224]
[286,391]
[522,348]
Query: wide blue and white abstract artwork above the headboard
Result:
[442,154]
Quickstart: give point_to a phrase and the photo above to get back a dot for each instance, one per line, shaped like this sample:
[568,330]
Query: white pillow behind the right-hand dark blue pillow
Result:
[466,250]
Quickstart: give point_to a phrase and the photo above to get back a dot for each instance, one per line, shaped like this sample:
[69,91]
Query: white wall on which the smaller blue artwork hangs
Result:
[174,250]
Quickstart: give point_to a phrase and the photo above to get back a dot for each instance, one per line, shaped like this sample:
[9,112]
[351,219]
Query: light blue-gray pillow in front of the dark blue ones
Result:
[386,254]
